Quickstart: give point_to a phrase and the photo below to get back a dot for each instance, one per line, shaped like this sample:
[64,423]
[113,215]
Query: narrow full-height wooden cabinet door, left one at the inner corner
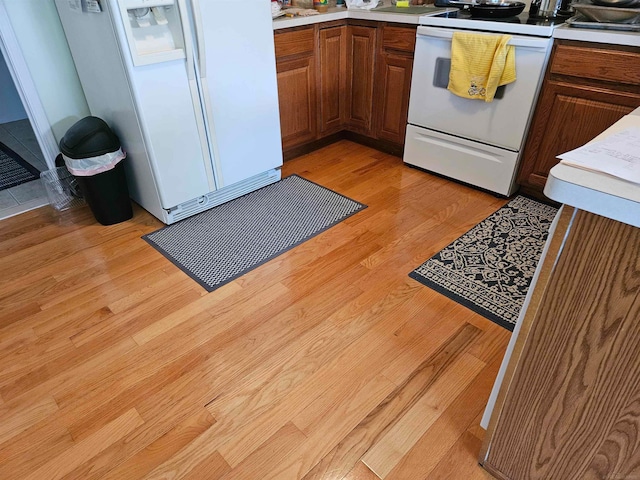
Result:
[332,81]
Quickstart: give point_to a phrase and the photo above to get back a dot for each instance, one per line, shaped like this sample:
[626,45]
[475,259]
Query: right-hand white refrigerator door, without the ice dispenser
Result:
[236,65]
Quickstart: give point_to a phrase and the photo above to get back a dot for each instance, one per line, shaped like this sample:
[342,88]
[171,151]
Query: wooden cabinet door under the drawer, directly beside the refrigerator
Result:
[296,94]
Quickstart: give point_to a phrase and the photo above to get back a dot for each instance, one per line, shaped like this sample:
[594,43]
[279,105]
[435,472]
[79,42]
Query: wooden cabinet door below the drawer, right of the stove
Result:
[567,117]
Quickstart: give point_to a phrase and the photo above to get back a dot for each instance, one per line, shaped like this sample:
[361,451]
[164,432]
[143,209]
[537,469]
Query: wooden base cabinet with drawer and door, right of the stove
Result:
[586,89]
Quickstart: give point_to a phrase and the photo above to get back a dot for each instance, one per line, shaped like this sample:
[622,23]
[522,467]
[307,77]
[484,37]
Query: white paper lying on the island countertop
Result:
[617,155]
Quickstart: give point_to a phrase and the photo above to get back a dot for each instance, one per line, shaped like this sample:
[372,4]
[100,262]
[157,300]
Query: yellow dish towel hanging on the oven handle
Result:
[480,64]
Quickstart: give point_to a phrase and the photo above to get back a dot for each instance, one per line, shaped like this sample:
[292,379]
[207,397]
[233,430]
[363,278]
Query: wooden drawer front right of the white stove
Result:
[620,66]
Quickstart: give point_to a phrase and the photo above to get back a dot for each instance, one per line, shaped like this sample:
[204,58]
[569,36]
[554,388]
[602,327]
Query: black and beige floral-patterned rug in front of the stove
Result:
[489,268]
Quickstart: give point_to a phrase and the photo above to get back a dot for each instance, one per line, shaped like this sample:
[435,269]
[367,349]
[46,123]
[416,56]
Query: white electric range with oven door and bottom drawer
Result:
[472,141]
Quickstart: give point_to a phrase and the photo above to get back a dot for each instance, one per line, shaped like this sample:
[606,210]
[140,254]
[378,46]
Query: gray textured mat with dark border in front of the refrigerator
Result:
[222,244]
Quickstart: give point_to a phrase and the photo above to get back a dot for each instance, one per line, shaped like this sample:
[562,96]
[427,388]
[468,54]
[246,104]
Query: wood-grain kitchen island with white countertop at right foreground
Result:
[567,406]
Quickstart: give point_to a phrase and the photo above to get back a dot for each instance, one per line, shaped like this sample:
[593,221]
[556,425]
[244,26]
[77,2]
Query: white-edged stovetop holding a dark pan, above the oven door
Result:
[521,24]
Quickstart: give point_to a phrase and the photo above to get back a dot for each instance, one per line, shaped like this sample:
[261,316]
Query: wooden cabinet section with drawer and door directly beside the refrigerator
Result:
[296,73]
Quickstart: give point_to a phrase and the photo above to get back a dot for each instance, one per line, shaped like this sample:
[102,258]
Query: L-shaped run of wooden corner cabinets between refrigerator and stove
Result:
[344,78]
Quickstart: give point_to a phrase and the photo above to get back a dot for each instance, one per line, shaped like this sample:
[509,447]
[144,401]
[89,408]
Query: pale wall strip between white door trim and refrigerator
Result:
[44,46]
